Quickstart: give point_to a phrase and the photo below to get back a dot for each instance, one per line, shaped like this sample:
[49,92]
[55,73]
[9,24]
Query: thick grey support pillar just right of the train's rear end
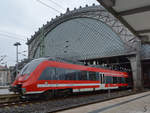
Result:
[136,68]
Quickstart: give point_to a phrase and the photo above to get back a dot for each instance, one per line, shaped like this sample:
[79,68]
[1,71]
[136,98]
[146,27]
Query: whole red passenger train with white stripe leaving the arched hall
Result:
[49,75]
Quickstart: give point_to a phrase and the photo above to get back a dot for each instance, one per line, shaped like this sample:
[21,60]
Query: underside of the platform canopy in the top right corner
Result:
[134,14]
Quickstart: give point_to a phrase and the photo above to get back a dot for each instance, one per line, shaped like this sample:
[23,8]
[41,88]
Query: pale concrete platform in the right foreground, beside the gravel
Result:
[139,103]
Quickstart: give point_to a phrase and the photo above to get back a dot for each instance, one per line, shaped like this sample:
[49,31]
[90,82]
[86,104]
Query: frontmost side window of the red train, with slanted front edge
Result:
[47,74]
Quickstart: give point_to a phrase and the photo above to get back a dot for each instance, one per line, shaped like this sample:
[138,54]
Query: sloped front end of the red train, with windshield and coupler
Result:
[23,78]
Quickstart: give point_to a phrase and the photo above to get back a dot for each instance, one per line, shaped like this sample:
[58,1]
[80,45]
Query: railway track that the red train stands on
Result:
[14,100]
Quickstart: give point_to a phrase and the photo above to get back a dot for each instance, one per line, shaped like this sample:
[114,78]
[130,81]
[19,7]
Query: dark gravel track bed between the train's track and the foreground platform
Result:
[61,103]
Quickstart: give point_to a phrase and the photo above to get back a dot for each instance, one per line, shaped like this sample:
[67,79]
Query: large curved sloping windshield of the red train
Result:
[30,67]
